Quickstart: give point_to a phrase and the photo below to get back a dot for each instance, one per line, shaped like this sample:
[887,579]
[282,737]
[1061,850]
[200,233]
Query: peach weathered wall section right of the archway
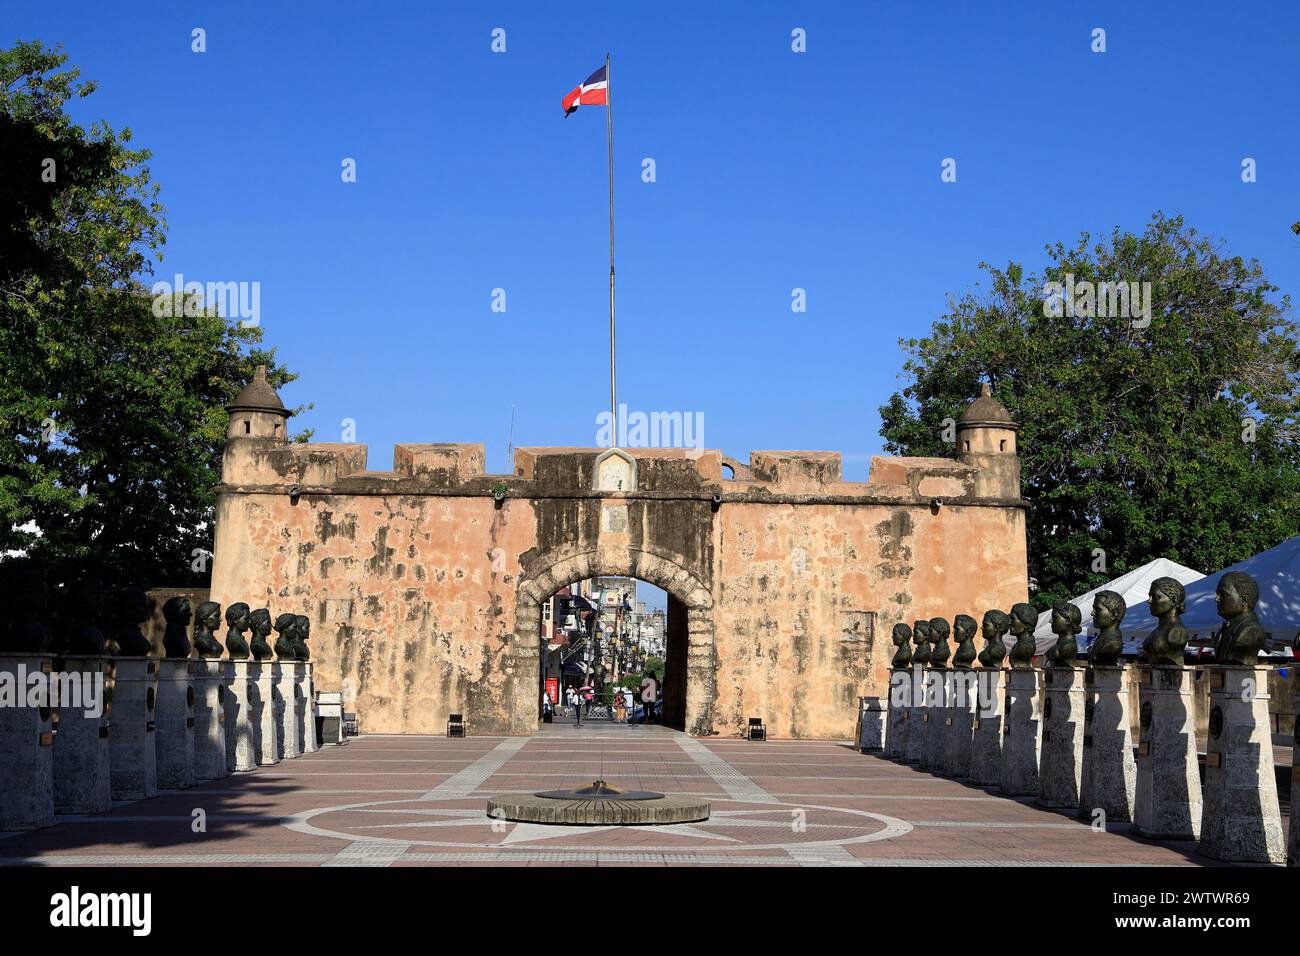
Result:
[798,587]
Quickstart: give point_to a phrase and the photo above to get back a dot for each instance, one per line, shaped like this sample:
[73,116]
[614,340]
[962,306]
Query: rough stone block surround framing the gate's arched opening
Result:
[554,572]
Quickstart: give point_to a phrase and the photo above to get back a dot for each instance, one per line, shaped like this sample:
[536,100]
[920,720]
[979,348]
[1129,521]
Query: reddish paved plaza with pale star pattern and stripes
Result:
[421,801]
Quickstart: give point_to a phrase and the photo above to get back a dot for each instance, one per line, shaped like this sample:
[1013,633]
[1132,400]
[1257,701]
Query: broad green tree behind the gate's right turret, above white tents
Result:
[1173,439]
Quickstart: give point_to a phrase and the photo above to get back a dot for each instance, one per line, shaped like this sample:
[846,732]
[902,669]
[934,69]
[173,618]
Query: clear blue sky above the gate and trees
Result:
[775,171]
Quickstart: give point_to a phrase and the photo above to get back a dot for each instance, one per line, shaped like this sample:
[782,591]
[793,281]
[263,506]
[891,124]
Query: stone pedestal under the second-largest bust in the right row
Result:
[1168,797]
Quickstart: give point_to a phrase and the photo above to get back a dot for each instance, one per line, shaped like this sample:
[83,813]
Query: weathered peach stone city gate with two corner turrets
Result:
[424,583]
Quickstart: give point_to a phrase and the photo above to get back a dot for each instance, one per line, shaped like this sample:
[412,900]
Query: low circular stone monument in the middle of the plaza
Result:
[599,806]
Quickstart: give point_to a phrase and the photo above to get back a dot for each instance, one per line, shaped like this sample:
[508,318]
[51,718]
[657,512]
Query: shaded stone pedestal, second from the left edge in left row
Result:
[83,776]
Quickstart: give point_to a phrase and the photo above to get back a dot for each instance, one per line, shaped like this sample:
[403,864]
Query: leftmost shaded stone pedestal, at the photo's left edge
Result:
[27,747]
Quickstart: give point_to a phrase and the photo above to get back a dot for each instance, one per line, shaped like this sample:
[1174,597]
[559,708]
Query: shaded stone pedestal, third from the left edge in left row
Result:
[133,695]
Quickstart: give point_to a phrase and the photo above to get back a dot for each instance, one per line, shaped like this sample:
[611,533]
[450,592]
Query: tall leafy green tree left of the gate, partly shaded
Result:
[111,417]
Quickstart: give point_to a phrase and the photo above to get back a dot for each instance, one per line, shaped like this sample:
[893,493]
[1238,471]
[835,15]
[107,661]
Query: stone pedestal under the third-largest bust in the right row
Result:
[1110,771]
